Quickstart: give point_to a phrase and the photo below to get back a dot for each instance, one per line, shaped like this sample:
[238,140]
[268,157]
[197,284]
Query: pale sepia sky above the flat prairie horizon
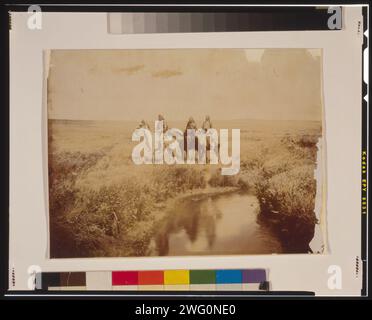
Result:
[282,84]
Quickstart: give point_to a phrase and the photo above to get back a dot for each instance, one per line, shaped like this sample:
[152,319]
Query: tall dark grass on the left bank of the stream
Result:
[109,220]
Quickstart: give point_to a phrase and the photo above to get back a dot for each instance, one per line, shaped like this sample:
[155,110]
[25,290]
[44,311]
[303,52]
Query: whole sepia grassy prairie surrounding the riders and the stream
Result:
[101,204]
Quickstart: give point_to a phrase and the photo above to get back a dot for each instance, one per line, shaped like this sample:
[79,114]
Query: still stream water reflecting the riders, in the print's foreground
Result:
[210,225]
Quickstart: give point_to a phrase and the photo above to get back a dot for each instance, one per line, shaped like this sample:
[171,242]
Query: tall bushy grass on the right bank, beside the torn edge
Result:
[286,190]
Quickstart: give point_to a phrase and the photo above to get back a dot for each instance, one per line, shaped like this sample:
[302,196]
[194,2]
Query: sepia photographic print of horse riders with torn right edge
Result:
[184,152]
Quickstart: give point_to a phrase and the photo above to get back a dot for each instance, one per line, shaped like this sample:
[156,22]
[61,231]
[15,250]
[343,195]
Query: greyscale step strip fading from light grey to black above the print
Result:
[257,19]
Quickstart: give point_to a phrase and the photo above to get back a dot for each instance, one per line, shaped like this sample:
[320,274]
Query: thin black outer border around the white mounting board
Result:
[148,6]
